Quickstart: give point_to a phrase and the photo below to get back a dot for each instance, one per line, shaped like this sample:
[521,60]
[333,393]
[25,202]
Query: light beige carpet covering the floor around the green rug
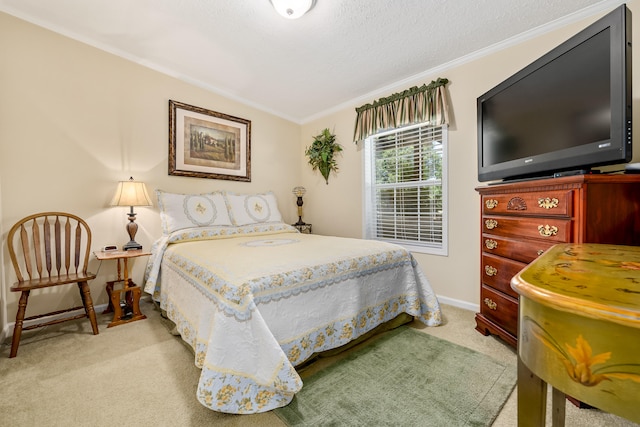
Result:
[139,374]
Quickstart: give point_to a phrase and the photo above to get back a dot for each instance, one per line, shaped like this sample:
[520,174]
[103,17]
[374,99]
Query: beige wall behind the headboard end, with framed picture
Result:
[74,120]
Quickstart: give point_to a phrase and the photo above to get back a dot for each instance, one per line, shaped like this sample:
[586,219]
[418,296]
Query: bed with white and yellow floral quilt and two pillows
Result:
[254,298]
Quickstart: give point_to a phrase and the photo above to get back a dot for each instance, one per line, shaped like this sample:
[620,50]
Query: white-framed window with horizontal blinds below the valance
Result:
[406,188]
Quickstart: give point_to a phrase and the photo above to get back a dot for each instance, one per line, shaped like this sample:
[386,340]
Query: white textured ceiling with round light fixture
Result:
[340,52]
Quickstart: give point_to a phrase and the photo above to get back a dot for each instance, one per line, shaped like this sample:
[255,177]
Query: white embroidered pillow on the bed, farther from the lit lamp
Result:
[247,209]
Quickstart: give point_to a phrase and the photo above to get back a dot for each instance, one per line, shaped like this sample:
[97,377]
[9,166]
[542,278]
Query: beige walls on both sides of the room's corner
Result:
[74,120]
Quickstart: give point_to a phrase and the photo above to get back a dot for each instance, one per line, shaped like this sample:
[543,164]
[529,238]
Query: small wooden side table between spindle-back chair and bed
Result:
[130,310]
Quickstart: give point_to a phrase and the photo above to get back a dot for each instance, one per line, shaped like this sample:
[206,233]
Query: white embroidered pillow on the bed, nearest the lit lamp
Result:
[178,211]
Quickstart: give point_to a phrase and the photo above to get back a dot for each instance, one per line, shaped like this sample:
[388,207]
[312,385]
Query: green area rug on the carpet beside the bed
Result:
[405,378]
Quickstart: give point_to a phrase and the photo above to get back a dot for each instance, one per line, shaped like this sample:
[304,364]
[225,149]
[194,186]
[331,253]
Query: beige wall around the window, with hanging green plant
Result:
[336,208]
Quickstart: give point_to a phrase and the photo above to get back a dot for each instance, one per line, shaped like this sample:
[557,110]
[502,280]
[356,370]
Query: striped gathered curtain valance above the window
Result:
[425,104]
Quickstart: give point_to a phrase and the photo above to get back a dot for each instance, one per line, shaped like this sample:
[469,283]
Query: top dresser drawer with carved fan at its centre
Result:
[547,203]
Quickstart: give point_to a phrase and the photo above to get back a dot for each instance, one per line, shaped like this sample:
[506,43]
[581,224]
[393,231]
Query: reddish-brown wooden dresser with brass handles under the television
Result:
[521,220]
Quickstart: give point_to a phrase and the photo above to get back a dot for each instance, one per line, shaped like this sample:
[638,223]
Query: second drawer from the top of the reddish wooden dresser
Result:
[549,229]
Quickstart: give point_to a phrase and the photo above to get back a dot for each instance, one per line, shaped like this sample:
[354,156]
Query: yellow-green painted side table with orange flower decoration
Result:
[579,331]
